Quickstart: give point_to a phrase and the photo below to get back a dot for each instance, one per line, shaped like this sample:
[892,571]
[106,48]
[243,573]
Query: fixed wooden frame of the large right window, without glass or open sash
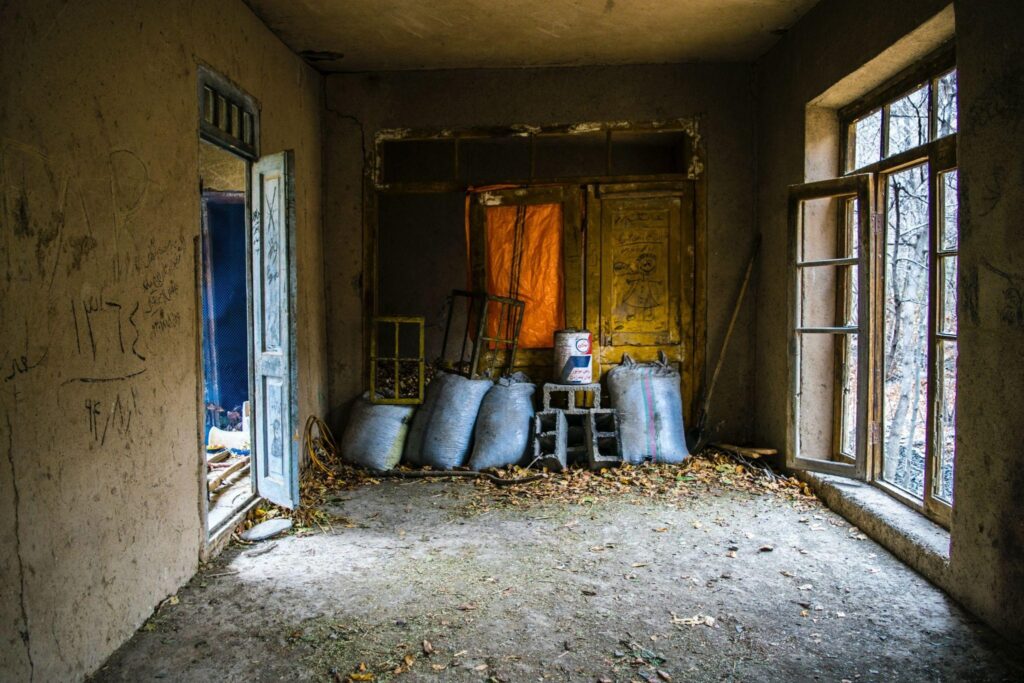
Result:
[941,156]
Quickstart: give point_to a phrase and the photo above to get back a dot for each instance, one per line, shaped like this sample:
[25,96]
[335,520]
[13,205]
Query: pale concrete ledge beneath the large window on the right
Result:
[906,533]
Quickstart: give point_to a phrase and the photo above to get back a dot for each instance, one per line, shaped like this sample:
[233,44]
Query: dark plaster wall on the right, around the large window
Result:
[834,40]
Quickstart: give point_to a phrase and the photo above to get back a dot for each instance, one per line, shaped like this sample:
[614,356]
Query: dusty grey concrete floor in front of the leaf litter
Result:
[614,591]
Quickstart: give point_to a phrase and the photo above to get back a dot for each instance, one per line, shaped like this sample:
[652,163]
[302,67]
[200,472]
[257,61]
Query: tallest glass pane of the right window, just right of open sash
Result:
[906,358]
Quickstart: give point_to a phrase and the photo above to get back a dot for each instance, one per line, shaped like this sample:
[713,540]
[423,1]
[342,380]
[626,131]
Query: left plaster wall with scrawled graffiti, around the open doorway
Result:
[100,479]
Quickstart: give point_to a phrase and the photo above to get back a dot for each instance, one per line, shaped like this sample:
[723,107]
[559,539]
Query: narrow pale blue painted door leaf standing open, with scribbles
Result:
[276,418]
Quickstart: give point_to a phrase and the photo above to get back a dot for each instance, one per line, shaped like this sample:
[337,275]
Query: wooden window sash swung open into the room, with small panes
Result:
[832,254]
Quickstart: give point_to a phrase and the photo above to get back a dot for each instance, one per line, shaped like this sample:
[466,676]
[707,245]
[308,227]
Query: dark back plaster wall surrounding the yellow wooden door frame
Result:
[361,105]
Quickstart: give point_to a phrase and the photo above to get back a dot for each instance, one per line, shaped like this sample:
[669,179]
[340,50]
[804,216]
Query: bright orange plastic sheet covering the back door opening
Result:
[539,250]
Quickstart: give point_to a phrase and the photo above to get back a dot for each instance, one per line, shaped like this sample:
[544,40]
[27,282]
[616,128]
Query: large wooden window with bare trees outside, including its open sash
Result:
[875,266]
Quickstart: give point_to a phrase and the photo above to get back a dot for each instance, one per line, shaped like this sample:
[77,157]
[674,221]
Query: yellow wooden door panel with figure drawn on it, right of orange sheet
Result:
[641,276]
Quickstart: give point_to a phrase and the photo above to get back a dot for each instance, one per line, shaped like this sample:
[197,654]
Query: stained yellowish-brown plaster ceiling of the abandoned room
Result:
[398,35]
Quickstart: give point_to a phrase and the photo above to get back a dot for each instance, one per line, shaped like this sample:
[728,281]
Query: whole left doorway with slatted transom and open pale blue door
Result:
[246,287]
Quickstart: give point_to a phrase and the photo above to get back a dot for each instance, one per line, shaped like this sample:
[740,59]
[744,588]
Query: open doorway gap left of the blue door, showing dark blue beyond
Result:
[227,352]
